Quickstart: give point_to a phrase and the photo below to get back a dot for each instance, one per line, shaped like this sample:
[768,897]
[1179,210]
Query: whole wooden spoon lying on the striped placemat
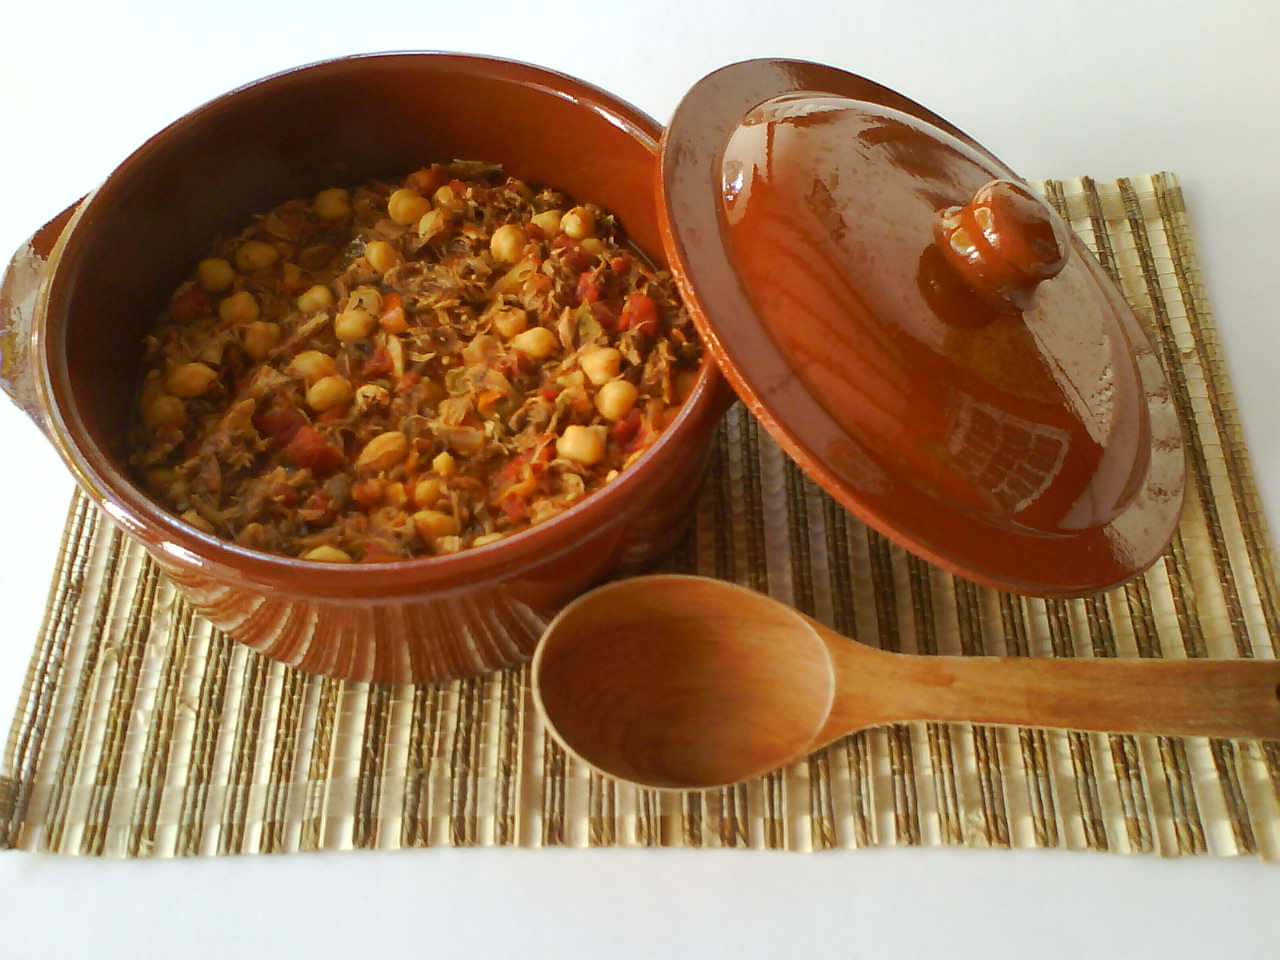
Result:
[692,684]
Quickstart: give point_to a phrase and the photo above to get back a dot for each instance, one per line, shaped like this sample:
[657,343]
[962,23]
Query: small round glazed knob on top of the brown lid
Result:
[1003,244]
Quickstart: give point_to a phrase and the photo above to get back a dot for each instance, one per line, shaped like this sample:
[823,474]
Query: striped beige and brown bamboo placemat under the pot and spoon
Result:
[144,733]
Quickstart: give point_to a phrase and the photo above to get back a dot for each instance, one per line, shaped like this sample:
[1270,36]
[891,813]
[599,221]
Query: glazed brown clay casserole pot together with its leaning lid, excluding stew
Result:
[922,335]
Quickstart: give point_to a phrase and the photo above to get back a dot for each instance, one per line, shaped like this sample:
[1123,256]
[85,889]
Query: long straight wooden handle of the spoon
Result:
[1169,698]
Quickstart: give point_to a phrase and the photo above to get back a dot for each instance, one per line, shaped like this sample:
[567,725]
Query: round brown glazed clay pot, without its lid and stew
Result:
[332,125]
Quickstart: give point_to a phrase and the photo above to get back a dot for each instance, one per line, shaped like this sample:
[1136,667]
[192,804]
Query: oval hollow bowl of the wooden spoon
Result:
[670,685]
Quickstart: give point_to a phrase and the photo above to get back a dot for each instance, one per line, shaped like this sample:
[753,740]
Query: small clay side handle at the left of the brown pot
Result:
[19,294]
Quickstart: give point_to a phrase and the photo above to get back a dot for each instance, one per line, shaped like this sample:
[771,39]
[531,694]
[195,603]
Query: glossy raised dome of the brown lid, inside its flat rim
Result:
[833,209]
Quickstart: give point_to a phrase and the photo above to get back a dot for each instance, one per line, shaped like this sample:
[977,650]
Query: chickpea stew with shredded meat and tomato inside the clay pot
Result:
[400,371]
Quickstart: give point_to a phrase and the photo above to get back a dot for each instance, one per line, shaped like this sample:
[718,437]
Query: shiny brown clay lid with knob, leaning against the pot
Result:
[927,339]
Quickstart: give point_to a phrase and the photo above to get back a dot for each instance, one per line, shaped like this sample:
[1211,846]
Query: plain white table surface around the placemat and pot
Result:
[1100,88]
